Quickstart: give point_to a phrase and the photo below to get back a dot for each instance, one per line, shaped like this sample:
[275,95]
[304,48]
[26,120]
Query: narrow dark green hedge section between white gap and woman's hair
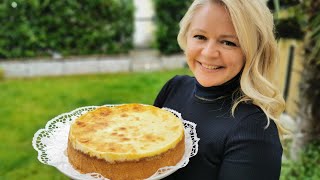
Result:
[168,15]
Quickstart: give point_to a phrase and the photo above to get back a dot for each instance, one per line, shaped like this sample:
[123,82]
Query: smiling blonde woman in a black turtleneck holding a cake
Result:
[231,50]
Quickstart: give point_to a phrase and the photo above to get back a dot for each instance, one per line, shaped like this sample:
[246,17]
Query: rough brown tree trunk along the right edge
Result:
[308,120]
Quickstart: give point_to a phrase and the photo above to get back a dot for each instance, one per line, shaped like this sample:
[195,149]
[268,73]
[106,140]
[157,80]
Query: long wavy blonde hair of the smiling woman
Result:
[253,23]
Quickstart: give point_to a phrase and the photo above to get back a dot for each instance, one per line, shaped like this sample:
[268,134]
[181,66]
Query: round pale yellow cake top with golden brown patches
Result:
[126,132]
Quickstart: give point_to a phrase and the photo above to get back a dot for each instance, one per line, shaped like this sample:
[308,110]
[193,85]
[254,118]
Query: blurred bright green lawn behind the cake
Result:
[27,105]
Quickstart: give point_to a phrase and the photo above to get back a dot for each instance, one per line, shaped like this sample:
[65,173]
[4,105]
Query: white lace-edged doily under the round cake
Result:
[51,144]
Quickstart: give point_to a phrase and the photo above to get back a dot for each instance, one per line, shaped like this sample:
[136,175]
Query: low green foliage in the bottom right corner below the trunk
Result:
[307,167]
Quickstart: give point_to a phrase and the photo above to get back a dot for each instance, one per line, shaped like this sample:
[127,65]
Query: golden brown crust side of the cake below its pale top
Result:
[125,170]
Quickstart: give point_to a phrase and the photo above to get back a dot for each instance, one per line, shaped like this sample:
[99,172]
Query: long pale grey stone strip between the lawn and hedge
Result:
[141,60]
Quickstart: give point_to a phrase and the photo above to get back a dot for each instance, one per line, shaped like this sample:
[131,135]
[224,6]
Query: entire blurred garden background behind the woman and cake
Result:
[56,56]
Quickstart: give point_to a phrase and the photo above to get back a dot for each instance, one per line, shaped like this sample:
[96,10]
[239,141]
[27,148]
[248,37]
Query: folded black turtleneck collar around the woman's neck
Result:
[214,93]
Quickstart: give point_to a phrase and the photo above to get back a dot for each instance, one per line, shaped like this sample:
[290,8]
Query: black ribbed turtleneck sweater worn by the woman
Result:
[230,148]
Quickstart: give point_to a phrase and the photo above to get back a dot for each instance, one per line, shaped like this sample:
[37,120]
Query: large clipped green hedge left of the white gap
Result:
[41,27]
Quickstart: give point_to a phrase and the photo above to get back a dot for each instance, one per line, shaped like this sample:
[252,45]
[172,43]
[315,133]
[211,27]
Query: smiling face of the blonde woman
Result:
[212,50]
